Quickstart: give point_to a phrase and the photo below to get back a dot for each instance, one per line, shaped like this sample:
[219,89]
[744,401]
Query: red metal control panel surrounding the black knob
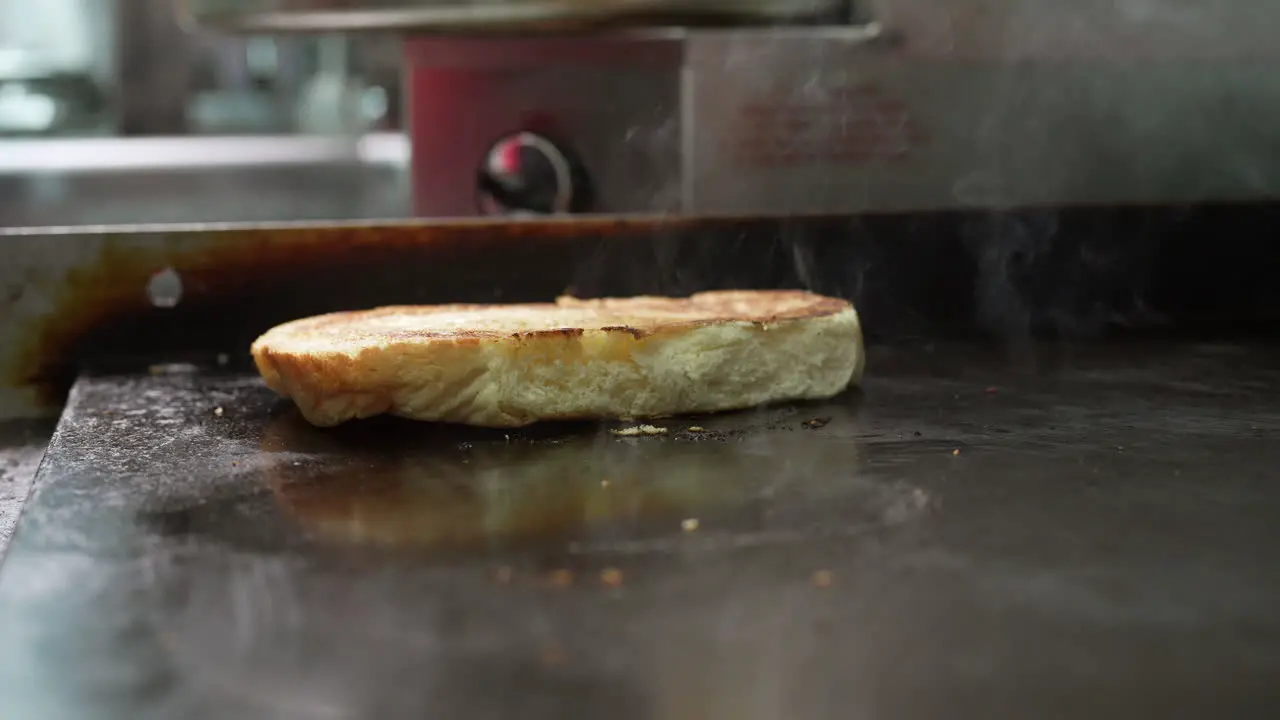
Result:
[615,104]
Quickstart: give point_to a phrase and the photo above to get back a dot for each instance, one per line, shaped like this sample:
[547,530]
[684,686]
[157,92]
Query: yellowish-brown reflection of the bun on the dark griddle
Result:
[397,484]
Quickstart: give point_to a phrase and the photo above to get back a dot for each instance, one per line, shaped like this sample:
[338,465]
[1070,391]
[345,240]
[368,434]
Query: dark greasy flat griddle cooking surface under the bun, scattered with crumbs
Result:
[977,535]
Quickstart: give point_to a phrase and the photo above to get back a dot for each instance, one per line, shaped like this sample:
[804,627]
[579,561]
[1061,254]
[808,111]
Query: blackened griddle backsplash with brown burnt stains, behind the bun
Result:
[1137,271]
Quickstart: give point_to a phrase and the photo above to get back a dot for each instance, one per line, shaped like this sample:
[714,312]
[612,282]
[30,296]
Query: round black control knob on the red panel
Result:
[527,174]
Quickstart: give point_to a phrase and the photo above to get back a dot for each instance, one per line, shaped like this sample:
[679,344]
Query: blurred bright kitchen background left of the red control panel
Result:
[122,112]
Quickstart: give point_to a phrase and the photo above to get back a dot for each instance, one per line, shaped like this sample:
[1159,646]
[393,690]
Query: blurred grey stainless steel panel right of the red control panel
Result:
[989,103]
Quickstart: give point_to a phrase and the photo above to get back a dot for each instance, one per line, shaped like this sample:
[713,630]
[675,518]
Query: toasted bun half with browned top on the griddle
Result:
[510,366]
